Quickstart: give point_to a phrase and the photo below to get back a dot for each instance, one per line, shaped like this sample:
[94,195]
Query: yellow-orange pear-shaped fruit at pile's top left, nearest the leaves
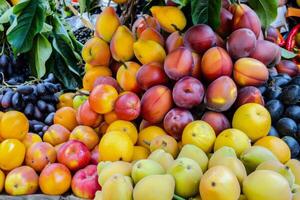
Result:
[107,23]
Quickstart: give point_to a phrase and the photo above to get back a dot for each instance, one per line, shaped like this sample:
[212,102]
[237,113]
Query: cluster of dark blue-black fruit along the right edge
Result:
[282,97]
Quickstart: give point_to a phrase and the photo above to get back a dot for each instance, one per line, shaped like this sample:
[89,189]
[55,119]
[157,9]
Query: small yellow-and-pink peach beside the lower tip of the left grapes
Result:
[56,134]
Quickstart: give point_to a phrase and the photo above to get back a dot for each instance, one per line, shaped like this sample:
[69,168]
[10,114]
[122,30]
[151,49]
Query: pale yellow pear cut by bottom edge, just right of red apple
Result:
[117,187]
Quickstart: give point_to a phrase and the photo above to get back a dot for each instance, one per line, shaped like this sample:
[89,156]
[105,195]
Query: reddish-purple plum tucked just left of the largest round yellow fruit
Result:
[217,121]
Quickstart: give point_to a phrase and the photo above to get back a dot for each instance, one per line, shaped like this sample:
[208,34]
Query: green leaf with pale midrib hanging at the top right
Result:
[265,9]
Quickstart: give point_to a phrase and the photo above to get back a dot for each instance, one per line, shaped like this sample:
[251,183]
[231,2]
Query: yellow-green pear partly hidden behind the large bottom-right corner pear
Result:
[254,156]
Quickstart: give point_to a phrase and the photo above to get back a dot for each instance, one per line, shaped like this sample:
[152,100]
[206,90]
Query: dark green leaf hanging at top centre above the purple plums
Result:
[206,12]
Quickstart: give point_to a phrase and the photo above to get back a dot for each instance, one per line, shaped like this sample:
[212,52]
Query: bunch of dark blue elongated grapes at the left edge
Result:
[37,99]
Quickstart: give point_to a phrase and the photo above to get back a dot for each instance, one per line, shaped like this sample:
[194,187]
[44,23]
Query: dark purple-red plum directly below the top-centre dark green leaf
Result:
[195,40]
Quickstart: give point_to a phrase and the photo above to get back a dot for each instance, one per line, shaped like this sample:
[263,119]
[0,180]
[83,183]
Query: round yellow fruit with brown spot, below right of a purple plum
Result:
[200,134]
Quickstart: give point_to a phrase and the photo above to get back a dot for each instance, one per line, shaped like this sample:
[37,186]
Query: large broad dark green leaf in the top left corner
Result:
[30,21]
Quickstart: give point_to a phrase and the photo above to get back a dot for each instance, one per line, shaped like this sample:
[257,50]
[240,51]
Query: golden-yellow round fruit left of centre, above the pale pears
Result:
[116,146]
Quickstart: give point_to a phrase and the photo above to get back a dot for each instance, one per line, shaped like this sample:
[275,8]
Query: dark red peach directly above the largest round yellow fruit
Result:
[249,94]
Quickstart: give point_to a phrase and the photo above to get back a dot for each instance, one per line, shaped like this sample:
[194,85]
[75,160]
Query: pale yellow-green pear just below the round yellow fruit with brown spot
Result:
[195,153]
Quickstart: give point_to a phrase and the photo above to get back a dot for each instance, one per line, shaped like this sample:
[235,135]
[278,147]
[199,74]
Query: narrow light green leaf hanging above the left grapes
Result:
[41,52]
